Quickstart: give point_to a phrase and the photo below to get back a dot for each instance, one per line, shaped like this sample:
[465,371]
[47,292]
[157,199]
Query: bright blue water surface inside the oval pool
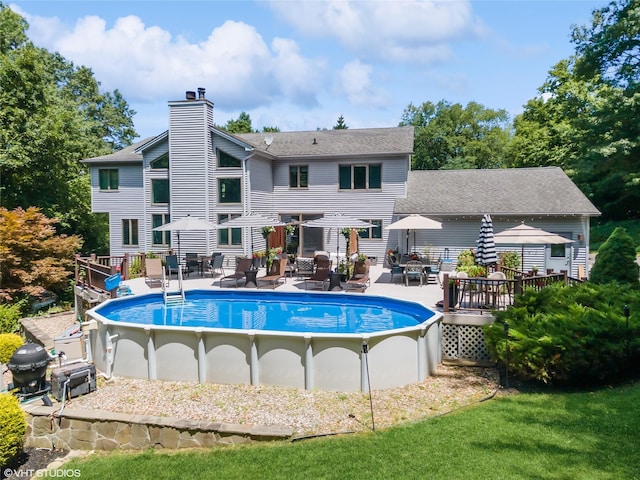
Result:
[273,311]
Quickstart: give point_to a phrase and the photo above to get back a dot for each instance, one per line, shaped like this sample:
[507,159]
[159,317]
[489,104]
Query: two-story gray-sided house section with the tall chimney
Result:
[196,169]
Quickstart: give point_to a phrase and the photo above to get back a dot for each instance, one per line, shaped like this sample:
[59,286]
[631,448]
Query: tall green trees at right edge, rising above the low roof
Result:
[588,125]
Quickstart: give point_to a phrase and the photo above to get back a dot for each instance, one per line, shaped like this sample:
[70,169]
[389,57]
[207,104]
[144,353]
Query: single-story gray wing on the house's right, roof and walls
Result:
[541,197]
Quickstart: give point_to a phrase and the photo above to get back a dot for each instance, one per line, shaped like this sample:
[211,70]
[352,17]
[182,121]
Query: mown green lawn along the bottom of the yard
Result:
[587,435]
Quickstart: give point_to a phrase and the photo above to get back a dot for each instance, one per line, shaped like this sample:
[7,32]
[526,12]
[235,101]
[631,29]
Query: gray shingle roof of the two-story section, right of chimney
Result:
[369,141]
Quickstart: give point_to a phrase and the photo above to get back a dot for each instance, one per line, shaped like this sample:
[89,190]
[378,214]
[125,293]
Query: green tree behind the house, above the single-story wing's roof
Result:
[452,136]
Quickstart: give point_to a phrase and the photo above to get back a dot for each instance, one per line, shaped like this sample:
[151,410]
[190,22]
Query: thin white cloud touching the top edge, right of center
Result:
[399,31]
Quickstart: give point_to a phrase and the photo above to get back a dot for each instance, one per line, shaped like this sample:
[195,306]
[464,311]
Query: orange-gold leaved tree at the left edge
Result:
[34,258]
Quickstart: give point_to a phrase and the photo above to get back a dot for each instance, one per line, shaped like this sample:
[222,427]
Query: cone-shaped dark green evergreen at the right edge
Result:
[616,260]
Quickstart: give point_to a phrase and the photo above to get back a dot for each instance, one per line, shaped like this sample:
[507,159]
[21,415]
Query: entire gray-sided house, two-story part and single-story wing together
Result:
[196,169]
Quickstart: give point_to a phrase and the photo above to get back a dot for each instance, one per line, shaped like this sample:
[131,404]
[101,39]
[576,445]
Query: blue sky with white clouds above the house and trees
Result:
[298,65]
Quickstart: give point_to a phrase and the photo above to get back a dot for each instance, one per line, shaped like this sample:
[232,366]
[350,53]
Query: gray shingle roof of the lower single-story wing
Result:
[511,191]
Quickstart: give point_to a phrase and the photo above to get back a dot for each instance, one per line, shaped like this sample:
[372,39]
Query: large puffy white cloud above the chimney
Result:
[146,62]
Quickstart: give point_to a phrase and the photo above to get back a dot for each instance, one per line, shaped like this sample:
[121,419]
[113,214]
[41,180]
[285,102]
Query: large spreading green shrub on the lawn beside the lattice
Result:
[571,335]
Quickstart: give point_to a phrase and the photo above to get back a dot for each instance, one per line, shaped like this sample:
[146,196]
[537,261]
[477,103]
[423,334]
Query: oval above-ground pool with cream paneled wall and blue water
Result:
[304,340]
